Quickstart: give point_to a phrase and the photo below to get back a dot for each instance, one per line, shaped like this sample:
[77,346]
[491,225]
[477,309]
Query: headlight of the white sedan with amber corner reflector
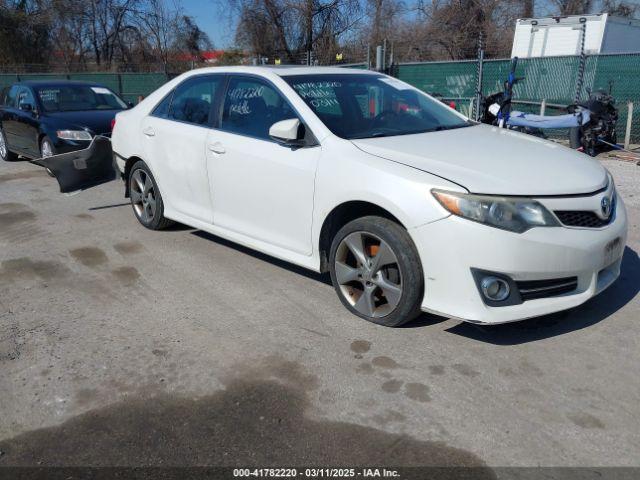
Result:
[513,214]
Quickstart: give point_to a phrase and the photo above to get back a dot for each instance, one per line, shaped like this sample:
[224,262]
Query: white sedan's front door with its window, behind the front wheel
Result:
[260,188]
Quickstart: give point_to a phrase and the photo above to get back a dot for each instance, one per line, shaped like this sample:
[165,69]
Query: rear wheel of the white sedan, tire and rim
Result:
[146,199]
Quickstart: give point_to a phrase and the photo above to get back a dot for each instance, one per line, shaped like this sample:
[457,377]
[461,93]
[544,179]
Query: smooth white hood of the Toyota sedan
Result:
[490,160]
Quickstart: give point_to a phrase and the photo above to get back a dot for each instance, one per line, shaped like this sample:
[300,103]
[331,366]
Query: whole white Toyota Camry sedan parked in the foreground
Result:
[409,205]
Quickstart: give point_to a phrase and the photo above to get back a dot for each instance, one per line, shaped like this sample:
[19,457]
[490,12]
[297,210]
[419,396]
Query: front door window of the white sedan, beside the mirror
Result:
[252,106]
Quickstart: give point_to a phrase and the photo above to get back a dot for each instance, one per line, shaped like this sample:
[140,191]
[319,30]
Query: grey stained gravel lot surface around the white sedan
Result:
[121,346]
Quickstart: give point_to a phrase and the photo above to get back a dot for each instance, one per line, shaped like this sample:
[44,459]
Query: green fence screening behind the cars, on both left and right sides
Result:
[552,79]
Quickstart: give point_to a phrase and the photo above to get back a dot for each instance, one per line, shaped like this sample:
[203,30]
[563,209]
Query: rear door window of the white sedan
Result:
[193,99]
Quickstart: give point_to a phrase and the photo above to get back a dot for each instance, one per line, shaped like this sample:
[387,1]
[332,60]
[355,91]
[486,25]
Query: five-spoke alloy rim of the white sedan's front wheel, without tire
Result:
[369,274]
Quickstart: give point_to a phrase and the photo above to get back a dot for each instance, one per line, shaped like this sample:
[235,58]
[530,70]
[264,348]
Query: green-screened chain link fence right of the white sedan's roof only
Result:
[550,79]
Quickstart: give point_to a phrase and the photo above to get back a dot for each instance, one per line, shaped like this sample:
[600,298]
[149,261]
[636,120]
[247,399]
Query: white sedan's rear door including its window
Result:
[175,144]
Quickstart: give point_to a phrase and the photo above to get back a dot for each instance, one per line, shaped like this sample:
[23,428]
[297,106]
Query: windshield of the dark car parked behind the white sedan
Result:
[78,98]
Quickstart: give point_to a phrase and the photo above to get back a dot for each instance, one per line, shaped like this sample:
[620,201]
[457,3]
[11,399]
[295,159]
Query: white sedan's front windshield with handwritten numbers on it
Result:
[367,106]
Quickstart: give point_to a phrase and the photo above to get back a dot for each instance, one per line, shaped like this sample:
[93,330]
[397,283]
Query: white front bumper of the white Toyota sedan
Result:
[450,248]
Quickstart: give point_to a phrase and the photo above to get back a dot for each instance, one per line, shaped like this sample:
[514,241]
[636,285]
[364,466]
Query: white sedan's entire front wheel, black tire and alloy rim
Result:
[376,271]
